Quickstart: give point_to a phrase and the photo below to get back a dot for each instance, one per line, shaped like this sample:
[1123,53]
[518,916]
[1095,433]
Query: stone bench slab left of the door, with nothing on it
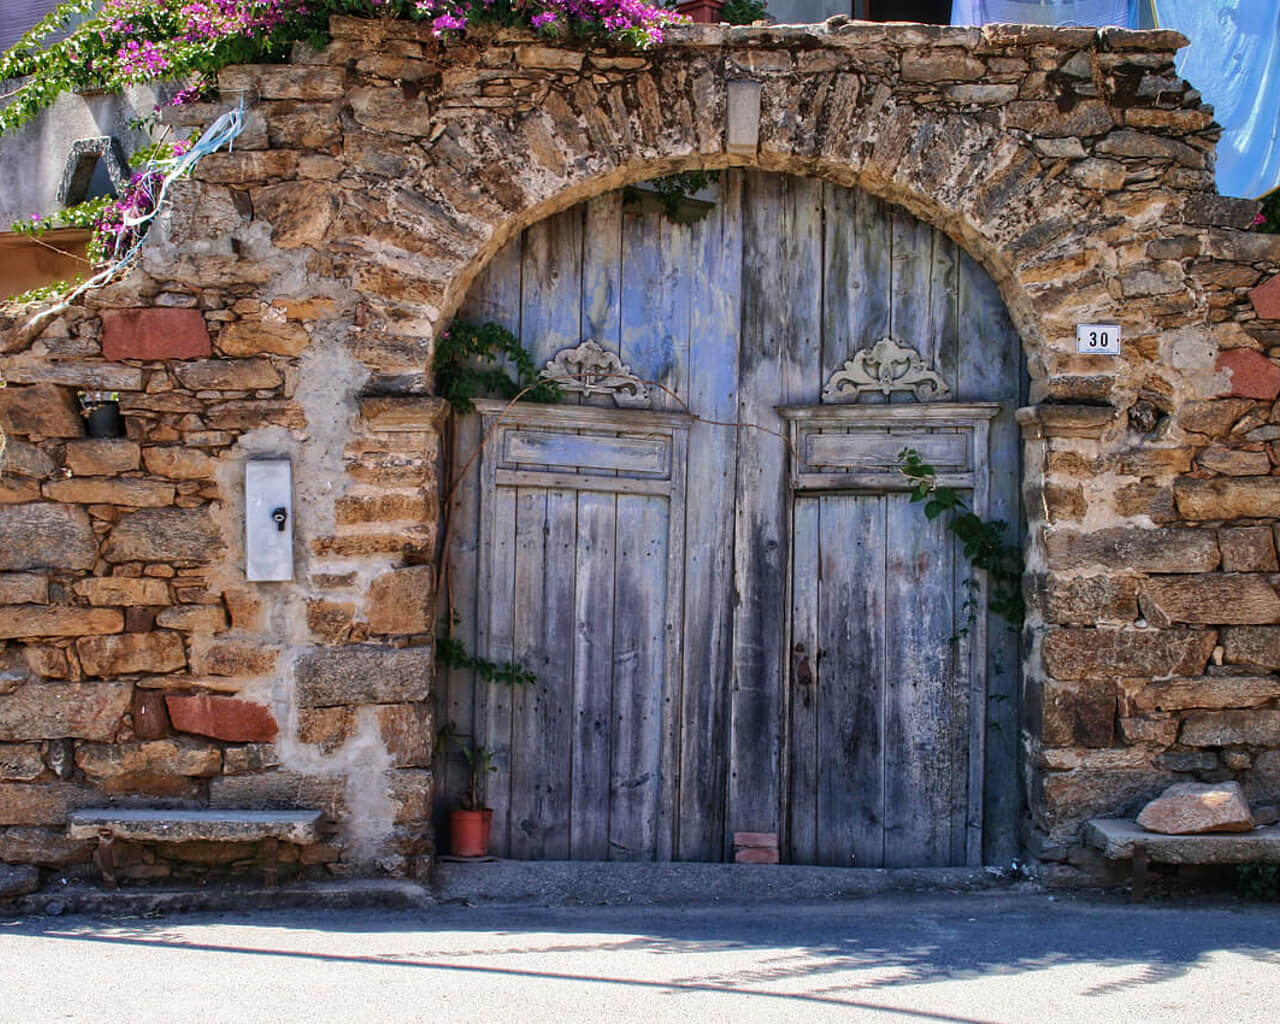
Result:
[194,826]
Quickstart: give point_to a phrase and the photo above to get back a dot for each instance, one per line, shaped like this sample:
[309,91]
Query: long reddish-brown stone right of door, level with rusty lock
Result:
[1076,655]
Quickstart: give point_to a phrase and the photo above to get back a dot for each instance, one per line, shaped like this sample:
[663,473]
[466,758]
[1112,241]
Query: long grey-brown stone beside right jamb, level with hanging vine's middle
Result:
[1142,551]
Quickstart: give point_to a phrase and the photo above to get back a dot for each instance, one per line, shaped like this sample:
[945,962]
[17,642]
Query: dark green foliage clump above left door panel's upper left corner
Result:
[469,364]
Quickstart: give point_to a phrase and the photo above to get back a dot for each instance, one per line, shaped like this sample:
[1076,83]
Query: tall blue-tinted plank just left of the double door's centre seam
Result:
[714,359]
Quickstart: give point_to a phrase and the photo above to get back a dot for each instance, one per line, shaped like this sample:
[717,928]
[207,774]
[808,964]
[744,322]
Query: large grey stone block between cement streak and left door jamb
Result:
[364,674]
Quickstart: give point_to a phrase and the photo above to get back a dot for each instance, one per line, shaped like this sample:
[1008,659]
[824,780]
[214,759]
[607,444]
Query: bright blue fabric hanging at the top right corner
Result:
[1235,61]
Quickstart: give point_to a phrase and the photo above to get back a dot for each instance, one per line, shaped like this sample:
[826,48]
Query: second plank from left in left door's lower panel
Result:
[525,829]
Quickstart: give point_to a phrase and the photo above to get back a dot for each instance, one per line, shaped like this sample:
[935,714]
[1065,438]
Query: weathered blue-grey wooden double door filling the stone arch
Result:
[707,556]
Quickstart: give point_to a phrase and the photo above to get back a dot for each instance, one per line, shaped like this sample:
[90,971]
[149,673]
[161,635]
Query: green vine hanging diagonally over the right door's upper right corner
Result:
[984,542]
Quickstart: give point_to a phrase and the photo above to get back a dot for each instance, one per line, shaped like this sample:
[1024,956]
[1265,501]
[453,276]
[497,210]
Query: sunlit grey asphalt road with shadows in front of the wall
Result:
[930,959]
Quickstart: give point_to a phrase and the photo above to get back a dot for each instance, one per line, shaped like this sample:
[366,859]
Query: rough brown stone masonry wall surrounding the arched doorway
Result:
[286,307]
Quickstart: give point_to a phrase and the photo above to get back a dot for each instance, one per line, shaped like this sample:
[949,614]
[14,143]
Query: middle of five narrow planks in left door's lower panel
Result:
[556,676]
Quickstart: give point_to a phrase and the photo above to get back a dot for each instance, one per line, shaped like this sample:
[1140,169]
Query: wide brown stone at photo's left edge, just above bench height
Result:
[54,711]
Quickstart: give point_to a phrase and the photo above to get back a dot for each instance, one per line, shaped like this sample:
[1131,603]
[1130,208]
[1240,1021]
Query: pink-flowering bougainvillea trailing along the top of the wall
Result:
[111,44]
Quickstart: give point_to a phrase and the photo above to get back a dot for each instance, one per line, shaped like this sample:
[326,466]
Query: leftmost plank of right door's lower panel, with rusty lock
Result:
[808,675]
